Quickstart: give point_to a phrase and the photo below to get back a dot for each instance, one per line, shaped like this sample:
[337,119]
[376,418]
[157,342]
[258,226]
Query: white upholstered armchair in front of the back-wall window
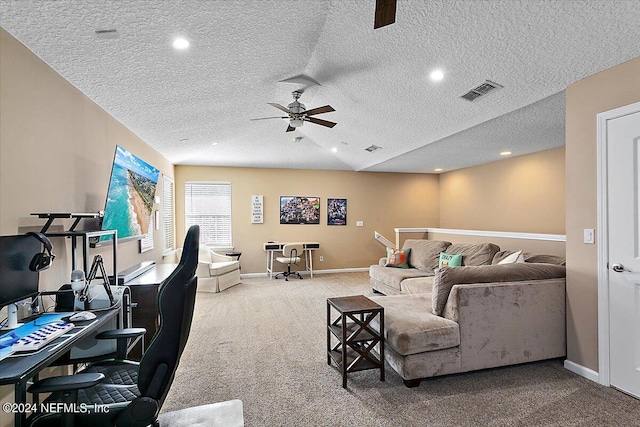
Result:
[215,272]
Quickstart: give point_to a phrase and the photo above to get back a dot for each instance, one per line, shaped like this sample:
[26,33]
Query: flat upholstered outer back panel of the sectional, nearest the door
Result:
[509,322]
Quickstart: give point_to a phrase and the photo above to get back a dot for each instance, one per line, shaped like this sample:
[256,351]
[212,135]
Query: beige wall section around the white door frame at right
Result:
[615,87]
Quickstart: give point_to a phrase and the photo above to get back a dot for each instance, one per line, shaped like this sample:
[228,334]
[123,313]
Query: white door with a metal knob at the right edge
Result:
[623,185]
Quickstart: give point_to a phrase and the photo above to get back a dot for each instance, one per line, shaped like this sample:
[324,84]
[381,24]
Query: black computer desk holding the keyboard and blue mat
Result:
[18,370]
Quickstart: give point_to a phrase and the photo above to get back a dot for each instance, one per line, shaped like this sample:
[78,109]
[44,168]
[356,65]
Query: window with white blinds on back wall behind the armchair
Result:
[208,204]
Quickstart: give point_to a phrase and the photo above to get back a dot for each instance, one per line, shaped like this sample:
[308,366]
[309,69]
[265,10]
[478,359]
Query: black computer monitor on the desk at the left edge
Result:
[17,282]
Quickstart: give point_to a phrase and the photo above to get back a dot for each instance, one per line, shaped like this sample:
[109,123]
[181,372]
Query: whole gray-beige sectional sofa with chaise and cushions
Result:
[480,315]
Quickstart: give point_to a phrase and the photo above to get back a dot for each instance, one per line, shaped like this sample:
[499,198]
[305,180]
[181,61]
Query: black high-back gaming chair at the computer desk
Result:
[120,401]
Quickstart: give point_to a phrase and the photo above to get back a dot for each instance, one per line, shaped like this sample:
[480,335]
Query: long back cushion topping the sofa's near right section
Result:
[445,278]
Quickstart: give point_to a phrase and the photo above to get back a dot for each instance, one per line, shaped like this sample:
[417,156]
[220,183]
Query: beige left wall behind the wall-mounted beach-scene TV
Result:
[56,150]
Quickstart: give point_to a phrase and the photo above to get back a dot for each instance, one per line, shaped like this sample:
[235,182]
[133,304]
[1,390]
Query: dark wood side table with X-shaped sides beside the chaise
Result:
[355,335]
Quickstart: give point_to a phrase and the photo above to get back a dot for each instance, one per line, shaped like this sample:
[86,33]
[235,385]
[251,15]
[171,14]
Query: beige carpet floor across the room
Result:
[264,342]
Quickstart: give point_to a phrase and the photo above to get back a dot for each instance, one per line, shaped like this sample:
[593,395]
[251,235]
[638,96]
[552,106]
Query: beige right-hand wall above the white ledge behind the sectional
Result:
[521,194]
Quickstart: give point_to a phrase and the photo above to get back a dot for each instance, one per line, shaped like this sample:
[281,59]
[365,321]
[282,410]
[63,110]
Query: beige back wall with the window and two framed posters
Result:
[381,200]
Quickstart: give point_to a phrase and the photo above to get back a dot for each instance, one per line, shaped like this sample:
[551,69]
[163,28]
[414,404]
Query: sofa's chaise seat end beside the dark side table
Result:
[410,329]
